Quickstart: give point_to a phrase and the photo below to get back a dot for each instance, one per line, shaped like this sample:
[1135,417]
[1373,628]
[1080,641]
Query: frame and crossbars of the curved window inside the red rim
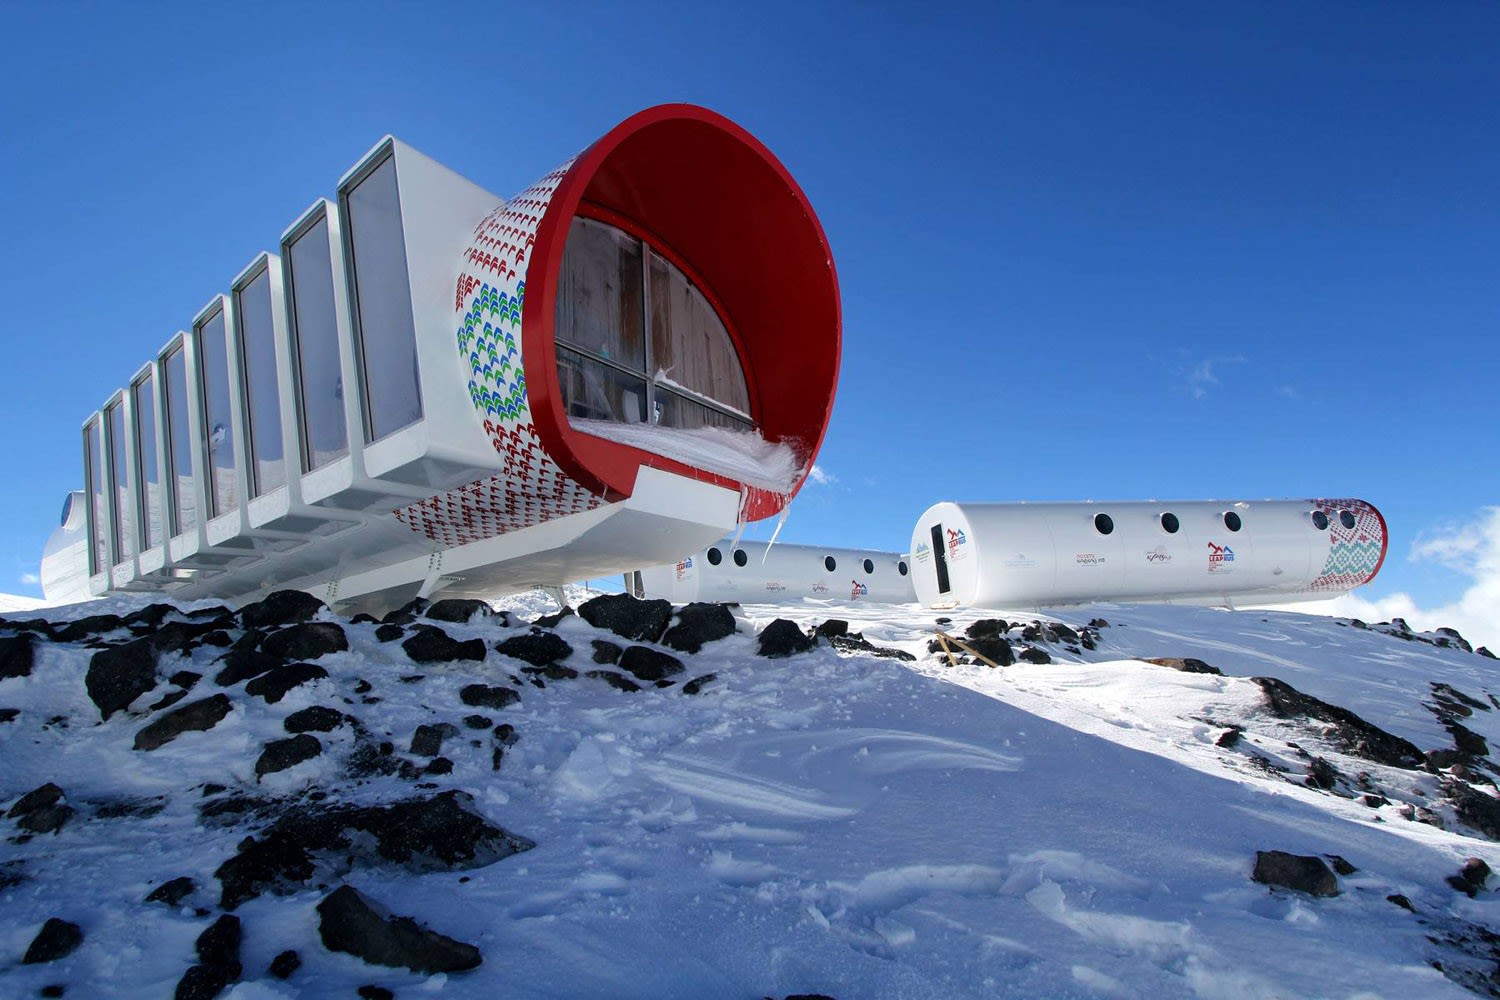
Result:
[652,244]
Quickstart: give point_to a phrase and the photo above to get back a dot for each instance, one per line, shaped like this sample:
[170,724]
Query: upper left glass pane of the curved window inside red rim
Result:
[599,295]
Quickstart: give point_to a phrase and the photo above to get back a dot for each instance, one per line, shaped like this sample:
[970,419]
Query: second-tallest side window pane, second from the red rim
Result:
[316,335]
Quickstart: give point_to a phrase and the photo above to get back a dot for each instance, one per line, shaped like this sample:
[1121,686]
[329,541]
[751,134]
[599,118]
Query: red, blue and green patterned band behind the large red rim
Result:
[490,301]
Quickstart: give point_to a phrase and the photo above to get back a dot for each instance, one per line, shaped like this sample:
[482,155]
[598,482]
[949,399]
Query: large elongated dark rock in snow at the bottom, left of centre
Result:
[352,924]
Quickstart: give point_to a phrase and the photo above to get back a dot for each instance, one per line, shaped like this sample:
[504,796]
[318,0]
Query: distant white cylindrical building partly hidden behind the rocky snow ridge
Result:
[755,575]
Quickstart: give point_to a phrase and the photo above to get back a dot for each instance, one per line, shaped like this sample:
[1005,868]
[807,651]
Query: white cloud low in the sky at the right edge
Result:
[1474,551]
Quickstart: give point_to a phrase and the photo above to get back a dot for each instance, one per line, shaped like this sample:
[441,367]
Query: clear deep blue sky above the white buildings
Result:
[1087,250]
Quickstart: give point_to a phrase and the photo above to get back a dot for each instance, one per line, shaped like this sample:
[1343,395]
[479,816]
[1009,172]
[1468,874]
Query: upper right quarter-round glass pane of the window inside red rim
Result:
[689,343]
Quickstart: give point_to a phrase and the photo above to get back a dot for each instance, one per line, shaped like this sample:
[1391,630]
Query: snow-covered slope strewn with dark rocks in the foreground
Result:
[833,822]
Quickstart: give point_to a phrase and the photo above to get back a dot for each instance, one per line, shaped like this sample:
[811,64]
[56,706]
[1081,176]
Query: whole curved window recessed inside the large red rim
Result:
[638,343]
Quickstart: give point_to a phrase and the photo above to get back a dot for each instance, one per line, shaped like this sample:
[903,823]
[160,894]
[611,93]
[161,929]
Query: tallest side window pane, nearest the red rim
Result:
[383,302]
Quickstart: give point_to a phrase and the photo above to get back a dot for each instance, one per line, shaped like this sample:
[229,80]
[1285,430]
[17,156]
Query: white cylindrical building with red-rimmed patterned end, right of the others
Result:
[1205,552]
